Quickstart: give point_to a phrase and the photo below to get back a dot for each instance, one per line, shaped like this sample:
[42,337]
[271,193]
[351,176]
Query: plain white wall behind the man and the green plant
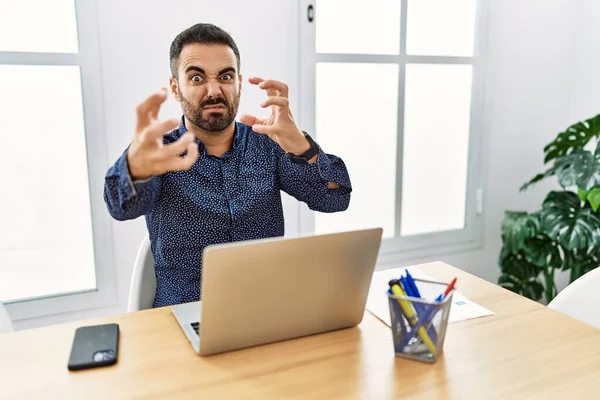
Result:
[541,77]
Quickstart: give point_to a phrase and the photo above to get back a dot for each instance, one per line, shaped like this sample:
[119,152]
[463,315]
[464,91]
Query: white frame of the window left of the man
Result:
[88,59]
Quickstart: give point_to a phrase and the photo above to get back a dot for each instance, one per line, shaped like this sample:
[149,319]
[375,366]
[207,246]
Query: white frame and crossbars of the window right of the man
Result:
[427,244]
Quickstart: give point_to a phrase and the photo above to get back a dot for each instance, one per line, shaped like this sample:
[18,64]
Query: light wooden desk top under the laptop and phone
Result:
[524,351]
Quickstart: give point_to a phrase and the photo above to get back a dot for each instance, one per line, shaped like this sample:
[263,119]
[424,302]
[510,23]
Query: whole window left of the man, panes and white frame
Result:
[51,124]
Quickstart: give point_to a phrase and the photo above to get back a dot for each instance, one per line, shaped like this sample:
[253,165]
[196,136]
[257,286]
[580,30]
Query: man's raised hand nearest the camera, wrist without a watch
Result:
[148,156]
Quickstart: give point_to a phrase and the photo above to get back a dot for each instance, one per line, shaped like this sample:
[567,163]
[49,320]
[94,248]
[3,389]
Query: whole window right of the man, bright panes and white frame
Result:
[394,88]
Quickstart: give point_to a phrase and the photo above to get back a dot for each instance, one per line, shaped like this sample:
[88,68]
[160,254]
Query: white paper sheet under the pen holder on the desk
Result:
[377,302]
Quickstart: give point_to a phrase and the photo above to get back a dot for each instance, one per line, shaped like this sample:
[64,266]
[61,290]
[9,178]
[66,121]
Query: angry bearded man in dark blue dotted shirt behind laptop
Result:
[213,180]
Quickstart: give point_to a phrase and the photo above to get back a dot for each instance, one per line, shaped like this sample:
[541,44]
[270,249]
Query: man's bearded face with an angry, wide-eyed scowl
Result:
[208,86]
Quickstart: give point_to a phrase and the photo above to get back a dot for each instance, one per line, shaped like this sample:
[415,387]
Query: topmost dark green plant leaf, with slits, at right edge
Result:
[575,137]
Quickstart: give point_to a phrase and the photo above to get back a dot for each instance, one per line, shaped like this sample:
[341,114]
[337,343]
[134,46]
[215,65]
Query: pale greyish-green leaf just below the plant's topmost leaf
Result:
[579,168]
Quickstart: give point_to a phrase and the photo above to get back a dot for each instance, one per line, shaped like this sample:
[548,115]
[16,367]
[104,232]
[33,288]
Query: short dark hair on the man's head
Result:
[204,34]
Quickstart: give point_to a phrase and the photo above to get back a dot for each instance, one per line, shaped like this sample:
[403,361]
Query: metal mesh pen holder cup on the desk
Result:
[419,325]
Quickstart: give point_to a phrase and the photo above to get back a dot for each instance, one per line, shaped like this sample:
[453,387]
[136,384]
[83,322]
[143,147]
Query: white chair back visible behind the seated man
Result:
[142,288]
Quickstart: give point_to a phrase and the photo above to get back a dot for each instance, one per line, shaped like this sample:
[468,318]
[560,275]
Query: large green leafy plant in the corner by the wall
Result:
[565,234]
